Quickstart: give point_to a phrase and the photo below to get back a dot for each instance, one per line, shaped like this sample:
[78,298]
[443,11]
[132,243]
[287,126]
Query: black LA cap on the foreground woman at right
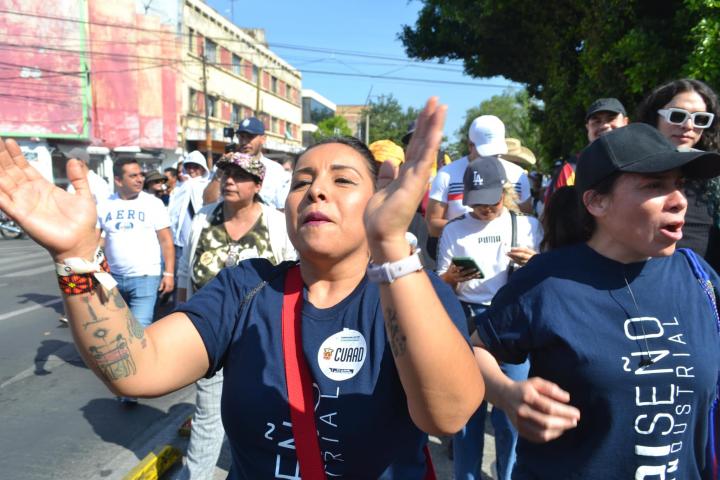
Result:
[639,148]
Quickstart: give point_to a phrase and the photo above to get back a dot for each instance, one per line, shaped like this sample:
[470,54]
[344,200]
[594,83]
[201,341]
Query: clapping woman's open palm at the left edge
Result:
[61,222]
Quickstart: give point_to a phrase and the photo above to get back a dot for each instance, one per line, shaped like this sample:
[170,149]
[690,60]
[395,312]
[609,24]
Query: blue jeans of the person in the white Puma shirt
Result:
[468,443]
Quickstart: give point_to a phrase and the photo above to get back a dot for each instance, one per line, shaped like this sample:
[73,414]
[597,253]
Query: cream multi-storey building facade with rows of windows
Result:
[231,71]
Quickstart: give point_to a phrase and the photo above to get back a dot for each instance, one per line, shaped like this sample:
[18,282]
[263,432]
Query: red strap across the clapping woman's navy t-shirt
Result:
[299,381]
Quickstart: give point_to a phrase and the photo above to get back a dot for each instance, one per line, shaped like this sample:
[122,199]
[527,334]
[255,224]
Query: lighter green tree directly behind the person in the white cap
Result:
[515,109]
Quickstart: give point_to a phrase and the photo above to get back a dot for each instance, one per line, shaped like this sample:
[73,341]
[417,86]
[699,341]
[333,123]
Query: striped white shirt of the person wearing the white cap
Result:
[448,185]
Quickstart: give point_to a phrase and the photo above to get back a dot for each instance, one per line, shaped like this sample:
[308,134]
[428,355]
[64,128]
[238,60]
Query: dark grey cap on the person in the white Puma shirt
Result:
[483,182]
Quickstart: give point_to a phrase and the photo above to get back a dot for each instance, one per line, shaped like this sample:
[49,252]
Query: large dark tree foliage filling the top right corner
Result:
[569,52]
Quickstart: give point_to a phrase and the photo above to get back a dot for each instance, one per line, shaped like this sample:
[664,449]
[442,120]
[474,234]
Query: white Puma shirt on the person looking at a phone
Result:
[487,243]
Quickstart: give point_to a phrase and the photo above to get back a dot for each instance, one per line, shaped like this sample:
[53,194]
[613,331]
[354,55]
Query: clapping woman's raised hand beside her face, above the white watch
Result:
[390,211]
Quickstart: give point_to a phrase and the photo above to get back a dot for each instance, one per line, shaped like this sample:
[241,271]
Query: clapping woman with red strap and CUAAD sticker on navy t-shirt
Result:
[331,365]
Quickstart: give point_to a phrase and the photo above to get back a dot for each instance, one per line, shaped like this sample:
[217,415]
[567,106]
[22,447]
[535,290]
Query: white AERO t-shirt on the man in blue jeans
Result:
[131,244]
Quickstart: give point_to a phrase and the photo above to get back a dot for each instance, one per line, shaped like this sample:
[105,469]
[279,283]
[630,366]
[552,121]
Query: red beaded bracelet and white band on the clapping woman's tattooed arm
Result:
[77,276]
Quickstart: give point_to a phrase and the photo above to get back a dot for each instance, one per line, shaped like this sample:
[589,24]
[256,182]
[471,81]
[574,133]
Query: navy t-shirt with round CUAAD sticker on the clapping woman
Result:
[361,410]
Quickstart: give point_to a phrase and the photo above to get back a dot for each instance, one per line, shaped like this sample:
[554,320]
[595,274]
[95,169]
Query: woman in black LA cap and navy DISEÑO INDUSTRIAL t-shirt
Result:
[621,335]
